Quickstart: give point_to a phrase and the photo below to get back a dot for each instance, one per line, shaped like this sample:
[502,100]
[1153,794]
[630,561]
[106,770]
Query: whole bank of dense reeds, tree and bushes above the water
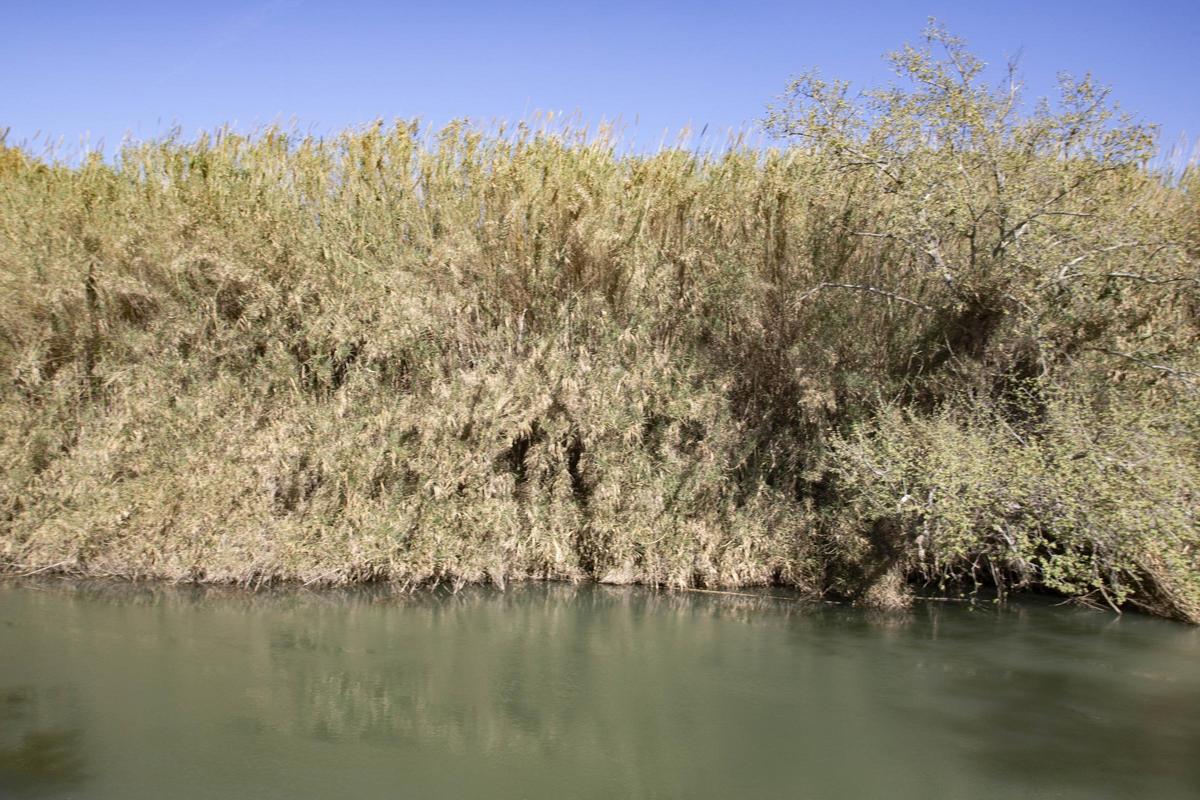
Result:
[938,338]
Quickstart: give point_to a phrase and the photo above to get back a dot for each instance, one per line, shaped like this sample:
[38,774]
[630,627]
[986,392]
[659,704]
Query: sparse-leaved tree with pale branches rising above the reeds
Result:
[1042,222]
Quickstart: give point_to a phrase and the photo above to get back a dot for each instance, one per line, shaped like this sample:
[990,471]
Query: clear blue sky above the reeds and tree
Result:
[99,70]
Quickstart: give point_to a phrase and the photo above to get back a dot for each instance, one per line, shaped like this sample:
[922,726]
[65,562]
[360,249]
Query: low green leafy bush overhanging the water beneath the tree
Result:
[1095,504]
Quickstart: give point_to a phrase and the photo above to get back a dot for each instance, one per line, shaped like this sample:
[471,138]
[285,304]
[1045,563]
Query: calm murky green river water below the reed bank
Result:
[584,693]
